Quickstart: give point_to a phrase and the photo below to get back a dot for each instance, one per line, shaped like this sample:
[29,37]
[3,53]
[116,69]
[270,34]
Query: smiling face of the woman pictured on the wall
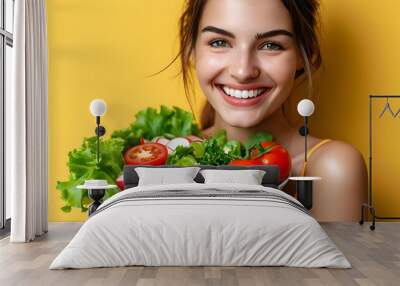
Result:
[246,58]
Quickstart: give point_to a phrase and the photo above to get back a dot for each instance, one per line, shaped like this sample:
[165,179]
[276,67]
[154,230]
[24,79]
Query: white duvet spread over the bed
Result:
[183,231]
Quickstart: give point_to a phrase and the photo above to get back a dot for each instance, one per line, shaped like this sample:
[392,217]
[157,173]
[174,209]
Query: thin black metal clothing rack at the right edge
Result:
[369,205]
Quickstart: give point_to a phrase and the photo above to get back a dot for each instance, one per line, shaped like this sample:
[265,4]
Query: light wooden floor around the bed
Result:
[375,257]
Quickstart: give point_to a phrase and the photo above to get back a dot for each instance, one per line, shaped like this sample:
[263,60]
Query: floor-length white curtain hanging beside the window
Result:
[27,123]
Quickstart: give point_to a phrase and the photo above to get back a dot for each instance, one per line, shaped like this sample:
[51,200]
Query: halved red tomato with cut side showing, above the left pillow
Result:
[146,154]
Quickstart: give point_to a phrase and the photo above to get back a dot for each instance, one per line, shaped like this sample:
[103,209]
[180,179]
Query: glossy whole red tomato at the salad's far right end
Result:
[278,155]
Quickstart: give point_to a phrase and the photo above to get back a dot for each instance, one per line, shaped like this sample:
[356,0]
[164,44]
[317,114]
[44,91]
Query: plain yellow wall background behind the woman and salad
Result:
[105,49]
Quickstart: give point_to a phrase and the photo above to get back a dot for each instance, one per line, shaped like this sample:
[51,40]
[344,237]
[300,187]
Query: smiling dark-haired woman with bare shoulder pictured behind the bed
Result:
[248,55]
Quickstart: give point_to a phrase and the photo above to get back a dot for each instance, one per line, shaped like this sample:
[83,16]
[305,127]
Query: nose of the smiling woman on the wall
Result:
[244,68]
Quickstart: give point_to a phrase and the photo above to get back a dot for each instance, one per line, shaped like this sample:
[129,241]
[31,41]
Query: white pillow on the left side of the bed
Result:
[162,176]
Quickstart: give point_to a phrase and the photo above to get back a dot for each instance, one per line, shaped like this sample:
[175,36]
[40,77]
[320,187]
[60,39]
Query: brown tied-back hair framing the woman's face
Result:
[304,15]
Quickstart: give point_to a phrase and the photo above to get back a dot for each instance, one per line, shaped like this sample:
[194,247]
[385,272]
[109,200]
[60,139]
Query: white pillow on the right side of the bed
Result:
[249,177]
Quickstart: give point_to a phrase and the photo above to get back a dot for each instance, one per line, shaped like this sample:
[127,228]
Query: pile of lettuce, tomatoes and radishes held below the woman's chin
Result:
[168,136]
